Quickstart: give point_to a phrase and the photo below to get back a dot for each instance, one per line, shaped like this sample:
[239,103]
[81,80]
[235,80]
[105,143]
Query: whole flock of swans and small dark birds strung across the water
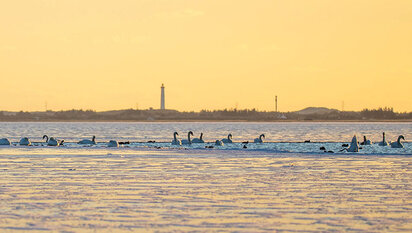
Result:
[353,147]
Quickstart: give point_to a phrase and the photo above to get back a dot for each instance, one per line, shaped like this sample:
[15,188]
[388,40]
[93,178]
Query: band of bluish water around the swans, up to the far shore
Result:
[280,137]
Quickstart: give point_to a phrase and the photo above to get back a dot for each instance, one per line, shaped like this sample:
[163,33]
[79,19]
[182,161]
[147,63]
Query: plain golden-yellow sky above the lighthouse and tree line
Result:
[210,54]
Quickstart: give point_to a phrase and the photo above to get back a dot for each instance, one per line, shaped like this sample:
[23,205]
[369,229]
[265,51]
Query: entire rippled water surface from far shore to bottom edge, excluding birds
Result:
[282,185]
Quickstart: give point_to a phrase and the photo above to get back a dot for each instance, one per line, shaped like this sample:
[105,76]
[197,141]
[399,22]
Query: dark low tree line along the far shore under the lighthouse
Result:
[203,115]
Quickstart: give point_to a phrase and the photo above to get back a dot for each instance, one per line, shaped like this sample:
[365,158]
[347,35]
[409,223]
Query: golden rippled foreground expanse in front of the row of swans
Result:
[204,191]
